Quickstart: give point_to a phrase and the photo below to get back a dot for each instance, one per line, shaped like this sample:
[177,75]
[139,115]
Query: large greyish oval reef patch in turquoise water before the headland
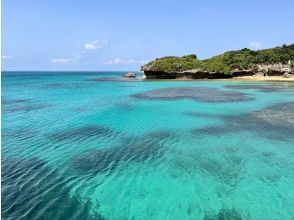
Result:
[202,94]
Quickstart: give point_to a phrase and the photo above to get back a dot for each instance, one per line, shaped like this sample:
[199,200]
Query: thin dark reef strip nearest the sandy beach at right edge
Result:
[262,88]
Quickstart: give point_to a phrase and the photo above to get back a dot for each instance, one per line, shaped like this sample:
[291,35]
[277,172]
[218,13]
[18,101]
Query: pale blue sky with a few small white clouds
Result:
[97,35]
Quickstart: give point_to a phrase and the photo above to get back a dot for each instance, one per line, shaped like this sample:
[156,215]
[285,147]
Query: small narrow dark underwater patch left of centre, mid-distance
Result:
[78,133]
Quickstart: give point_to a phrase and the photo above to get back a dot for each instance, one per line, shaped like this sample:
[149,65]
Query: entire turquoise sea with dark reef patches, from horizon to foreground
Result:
[92,146]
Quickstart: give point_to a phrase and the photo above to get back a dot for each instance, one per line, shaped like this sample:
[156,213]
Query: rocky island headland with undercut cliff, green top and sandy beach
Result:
[274,62]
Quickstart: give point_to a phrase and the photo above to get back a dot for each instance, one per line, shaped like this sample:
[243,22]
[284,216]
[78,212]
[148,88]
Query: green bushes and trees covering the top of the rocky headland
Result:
[224,63]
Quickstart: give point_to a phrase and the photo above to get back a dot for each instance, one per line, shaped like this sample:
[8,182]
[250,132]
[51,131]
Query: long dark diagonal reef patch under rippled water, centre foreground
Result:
[133,149]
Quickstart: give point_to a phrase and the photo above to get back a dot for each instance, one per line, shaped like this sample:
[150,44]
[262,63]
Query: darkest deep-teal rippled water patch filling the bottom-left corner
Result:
[32,190]
